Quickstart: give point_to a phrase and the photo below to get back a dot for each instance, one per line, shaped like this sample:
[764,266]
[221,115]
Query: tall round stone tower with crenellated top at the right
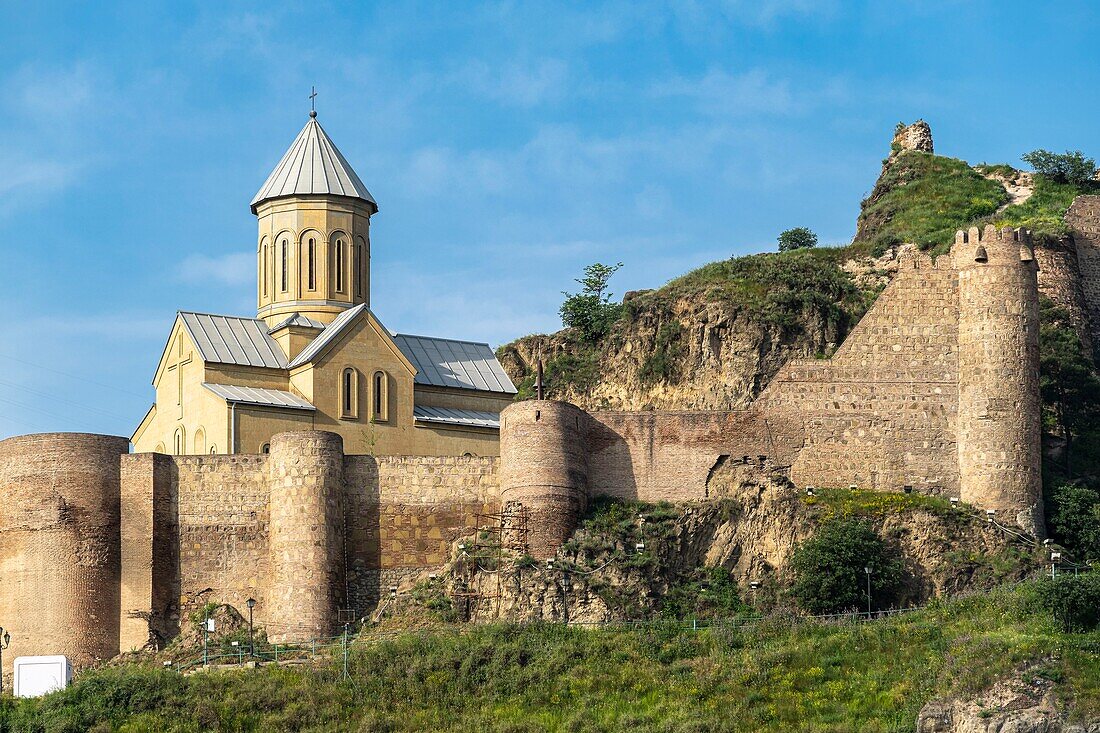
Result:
[999,400]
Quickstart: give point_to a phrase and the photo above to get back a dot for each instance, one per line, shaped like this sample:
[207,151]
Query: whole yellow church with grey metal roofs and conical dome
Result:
[317,357]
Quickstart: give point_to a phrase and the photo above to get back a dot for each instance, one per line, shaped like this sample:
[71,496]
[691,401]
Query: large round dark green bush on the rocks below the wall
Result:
[829,568]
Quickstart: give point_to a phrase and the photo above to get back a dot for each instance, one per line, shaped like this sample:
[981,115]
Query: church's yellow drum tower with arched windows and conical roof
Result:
[314,248]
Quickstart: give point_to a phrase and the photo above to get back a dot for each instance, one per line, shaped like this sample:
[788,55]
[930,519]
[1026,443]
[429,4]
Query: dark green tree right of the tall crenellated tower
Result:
[1069,385]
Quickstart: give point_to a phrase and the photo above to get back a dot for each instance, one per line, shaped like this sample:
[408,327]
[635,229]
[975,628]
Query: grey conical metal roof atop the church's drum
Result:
[313,167]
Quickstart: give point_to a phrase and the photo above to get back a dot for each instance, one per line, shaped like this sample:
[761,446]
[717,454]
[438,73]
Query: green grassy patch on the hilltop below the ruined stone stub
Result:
[923,200]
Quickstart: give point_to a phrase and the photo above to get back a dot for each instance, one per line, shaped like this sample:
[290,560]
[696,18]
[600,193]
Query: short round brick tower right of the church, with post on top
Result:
[545,471]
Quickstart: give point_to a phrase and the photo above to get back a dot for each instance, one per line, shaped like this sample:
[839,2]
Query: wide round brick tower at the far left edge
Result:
[60,545]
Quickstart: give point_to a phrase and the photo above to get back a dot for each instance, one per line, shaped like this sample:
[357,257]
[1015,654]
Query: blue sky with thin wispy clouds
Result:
[508,145]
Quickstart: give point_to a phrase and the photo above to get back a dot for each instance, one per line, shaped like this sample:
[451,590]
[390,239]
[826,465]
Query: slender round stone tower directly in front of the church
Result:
[307,560]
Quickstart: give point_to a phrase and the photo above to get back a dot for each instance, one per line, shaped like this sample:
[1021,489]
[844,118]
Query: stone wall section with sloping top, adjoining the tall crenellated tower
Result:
[882,412]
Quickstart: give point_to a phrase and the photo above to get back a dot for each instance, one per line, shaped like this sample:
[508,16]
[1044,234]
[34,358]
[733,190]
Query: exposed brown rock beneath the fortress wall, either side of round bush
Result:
[751,528]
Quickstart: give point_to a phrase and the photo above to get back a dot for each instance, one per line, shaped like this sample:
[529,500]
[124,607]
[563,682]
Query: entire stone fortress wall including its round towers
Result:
[101,551]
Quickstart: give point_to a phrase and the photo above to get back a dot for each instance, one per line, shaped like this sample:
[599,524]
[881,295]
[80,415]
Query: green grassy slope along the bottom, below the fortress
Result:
[778,676]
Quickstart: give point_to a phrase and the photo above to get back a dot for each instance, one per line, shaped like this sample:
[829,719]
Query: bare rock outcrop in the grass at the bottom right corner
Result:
[1013,706]
